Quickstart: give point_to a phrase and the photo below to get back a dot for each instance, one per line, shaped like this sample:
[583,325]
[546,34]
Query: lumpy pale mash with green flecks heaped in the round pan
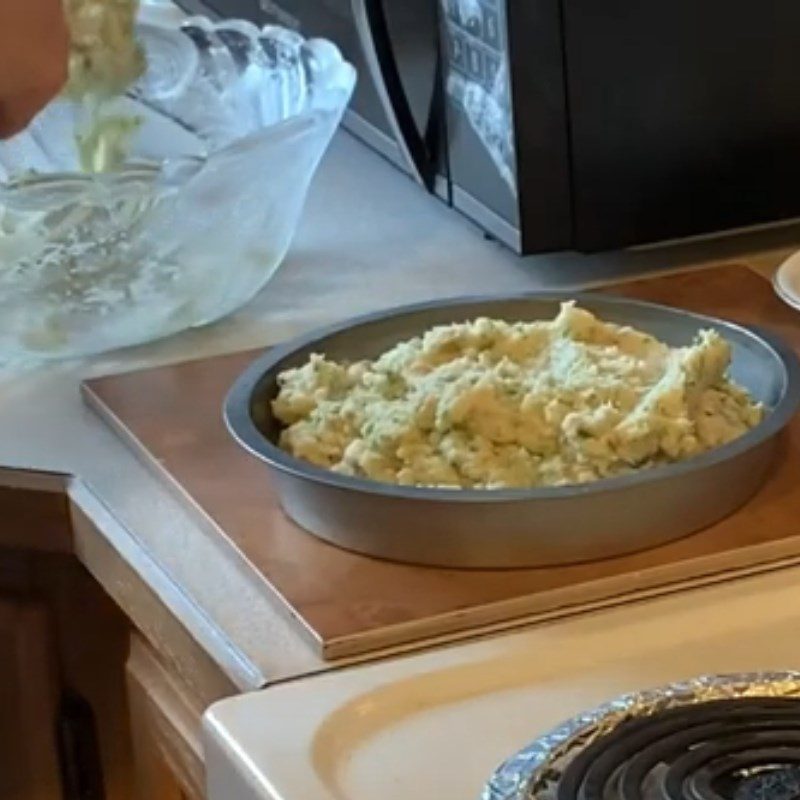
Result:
[492,404]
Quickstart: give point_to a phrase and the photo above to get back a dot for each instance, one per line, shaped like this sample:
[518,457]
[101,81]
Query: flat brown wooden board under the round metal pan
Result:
[350,604]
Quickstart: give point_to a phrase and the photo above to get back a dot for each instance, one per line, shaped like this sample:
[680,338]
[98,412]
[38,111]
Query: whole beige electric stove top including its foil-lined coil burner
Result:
[554,712]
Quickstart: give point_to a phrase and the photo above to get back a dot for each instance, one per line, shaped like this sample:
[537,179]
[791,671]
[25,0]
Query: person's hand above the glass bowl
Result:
[34,58]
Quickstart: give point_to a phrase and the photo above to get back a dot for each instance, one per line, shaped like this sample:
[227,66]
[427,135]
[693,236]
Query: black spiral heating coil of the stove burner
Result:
[741,749]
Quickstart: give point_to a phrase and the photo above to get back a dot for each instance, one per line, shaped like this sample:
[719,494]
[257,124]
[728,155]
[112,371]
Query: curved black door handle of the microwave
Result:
[373,32]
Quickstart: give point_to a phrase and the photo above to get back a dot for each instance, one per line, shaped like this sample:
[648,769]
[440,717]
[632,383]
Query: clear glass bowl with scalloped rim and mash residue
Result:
[233,122]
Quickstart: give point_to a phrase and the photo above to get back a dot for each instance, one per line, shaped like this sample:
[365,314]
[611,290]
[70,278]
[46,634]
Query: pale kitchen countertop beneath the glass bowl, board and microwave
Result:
[369,238]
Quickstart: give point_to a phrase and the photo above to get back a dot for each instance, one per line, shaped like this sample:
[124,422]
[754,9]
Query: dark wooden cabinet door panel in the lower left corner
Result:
[29,768]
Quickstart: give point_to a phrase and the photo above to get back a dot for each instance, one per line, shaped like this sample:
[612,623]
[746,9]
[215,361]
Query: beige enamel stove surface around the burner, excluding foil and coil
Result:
[436,725]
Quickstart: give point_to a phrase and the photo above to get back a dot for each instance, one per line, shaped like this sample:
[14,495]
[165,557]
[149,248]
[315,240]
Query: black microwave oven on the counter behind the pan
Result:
[574,124]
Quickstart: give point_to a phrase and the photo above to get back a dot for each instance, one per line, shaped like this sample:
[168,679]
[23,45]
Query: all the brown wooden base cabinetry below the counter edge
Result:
[84,701]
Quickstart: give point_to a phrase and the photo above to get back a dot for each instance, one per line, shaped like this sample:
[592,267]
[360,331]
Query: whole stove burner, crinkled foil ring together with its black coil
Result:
[726,737]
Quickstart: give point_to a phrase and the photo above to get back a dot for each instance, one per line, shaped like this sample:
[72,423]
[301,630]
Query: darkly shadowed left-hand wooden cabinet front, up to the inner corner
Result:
[64,724]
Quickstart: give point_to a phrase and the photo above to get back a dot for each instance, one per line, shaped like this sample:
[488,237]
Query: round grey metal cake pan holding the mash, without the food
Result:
[520,527]
